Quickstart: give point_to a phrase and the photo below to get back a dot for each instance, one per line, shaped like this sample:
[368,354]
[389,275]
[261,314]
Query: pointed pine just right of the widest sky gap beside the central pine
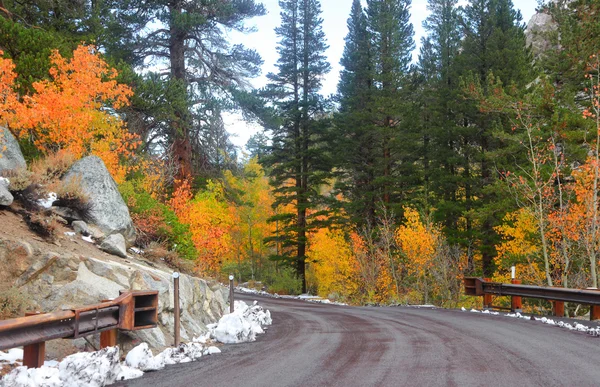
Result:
[355,140]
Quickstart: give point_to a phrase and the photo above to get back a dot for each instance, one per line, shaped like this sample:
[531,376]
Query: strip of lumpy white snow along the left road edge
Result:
[101,368]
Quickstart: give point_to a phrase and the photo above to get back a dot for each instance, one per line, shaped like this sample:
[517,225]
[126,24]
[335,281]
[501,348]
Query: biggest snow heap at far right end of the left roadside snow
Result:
[242,325]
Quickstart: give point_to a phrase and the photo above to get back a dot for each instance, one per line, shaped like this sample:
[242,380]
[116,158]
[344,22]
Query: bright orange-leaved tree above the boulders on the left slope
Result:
[74,110]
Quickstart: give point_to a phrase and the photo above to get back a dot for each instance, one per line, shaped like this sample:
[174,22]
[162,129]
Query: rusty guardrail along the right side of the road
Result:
[558,296]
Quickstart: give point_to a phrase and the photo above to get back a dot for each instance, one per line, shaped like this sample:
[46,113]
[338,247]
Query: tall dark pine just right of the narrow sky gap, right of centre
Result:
[443,162]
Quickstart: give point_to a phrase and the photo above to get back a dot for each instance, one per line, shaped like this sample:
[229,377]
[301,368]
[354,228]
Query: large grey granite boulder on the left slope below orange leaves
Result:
[109,211]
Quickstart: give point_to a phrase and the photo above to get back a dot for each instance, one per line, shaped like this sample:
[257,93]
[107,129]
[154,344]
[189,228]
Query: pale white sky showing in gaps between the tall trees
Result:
[335,15]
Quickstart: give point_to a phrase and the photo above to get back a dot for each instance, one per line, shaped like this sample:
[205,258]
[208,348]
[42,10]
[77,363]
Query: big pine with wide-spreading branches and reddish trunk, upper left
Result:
[187,36]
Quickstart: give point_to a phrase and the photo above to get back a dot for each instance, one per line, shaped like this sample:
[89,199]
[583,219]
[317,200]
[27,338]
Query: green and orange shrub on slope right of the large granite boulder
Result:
[156,221]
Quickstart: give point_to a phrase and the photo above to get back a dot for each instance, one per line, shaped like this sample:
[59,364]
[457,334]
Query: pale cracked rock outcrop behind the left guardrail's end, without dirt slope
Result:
[59,282]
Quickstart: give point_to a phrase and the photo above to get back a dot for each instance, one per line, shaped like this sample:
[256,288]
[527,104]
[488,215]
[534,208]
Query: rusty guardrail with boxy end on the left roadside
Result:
[132,310]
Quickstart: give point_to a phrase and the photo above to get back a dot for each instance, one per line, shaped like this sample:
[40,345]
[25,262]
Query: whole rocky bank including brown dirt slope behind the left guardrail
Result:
[77,273]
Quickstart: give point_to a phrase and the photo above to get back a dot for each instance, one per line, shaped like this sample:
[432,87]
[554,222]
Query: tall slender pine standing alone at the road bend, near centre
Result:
[297,160]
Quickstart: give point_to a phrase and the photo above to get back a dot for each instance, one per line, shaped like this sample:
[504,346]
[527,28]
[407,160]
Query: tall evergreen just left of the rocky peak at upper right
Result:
[493,49]
